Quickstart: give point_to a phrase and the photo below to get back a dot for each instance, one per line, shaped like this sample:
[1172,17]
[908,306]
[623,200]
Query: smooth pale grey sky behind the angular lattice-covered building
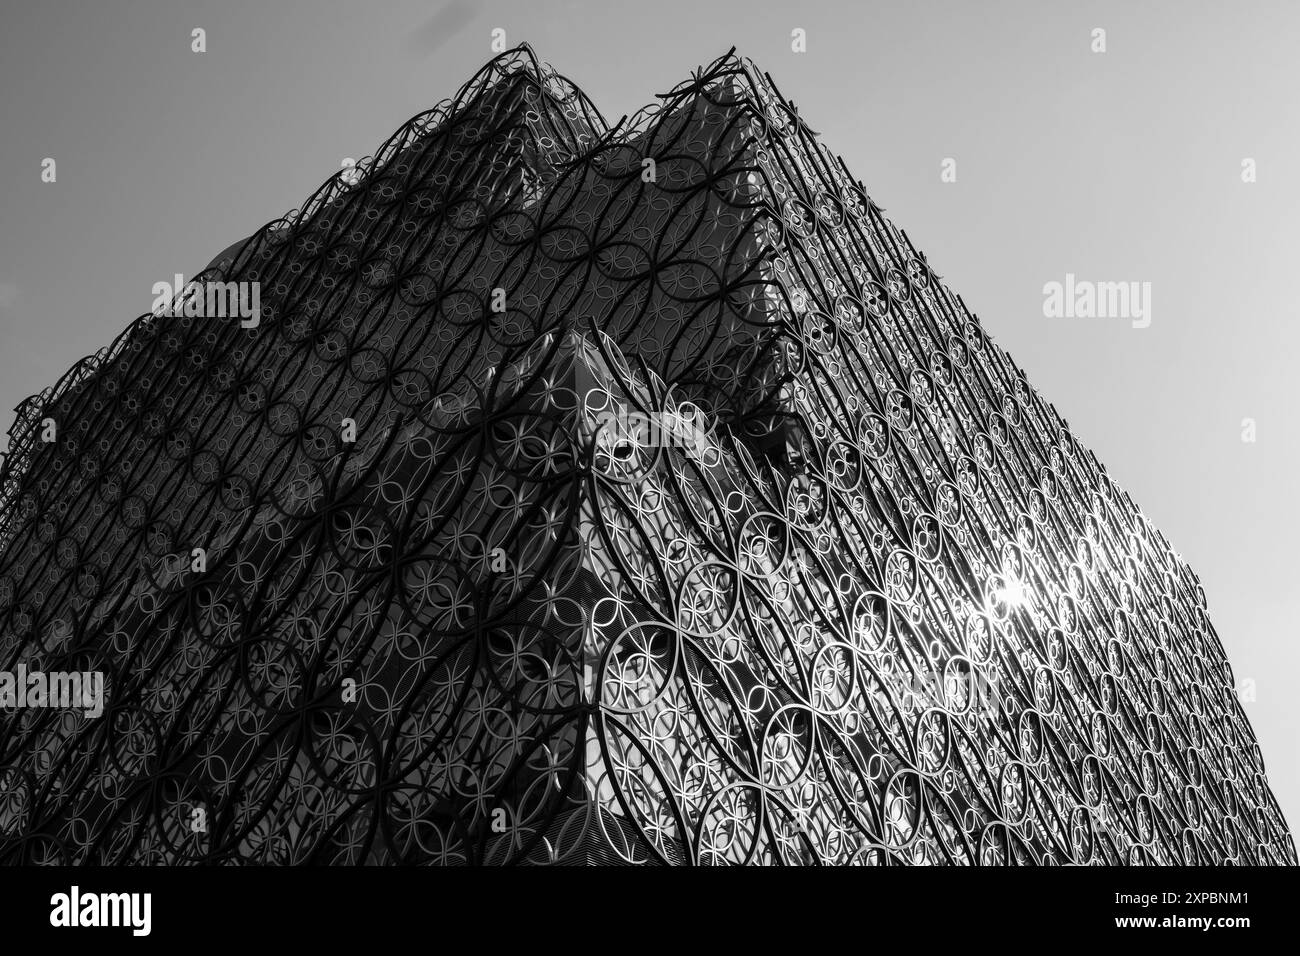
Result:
[1117,166]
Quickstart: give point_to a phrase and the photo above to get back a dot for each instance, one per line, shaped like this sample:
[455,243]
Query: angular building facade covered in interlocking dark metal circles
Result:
[690,520]
